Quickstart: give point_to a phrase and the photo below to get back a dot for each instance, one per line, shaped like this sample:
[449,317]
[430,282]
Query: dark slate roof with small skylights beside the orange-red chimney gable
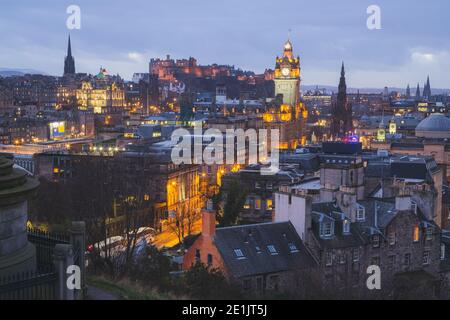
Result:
[253,240]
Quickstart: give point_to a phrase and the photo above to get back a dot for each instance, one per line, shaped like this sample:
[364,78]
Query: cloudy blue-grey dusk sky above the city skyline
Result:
[122,36]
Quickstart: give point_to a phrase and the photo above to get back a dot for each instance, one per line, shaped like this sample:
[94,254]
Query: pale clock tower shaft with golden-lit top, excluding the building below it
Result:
[287,76]
